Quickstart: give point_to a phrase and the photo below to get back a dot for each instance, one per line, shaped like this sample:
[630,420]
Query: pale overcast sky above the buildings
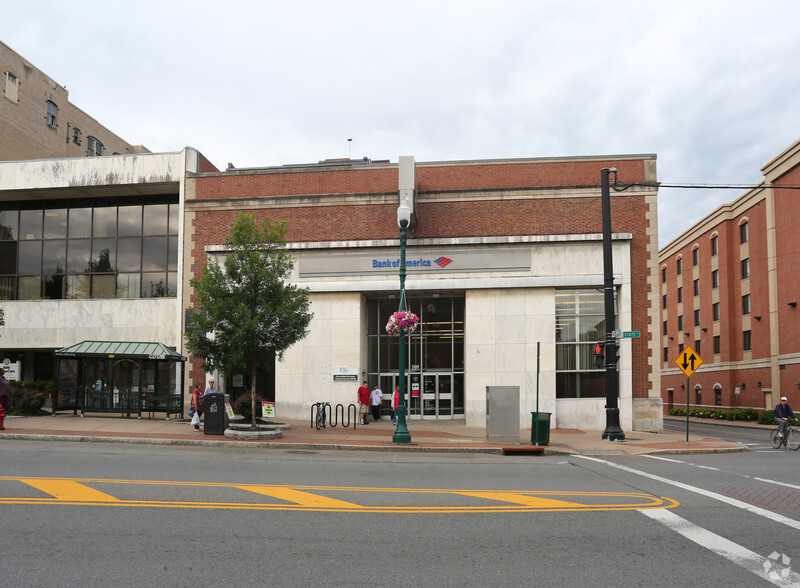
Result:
[711,87]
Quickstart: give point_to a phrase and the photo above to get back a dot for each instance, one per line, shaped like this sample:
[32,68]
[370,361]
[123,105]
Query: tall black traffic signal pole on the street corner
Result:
[612,432]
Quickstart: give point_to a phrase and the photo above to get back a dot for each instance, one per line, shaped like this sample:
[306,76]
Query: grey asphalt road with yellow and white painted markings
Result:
[123,515]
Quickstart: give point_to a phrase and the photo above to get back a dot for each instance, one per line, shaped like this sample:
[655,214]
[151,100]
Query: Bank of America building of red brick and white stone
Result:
[506,254]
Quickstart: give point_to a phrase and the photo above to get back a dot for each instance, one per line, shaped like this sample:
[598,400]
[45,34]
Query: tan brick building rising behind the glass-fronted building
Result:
[37,120]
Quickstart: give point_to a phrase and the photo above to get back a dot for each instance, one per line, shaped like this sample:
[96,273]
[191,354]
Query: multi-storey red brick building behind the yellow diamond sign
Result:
[730,289]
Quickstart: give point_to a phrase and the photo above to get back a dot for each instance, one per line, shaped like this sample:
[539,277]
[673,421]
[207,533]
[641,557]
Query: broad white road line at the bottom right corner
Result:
[731,551]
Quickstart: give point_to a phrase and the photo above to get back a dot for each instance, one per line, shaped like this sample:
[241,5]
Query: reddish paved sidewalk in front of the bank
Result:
[434,436]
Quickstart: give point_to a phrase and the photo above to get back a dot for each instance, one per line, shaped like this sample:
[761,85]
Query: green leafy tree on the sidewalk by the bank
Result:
[246,313]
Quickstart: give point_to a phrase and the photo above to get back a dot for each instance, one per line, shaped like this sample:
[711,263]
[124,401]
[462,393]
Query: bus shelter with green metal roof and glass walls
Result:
[127,378]
